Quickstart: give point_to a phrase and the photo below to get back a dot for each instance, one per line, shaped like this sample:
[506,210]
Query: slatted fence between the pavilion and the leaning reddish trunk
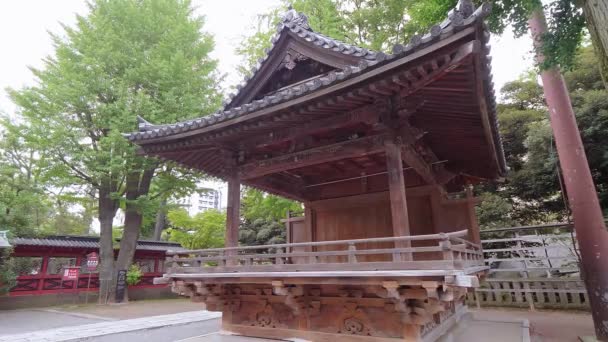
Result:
[532,266]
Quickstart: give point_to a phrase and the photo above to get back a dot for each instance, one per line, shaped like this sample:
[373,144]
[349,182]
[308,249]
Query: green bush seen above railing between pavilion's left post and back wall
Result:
[261,232]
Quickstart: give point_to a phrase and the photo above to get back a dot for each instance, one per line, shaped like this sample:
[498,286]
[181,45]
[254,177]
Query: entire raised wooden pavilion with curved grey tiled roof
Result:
[381,150]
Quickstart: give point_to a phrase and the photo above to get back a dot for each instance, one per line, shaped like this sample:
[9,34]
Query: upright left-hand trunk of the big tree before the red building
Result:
[107,210]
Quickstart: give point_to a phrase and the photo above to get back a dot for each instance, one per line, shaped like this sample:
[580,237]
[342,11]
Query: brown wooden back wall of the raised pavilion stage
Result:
[369,216]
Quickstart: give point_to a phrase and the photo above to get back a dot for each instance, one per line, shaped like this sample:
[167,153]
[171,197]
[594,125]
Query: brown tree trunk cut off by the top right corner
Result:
[596,15]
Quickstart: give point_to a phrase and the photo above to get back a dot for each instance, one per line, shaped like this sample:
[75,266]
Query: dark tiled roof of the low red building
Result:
[90,242]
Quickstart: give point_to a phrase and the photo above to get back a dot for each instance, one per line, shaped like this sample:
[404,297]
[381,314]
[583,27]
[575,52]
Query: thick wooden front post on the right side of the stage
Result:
[396,185]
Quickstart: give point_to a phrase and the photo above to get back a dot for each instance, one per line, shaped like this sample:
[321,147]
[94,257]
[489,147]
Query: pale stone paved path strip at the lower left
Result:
[90,331]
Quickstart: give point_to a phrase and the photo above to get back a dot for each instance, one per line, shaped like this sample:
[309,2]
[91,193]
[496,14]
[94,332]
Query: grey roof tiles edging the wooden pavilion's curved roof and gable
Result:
[461,17]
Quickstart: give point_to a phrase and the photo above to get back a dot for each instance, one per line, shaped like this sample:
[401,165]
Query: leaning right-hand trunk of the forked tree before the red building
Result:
[137,185]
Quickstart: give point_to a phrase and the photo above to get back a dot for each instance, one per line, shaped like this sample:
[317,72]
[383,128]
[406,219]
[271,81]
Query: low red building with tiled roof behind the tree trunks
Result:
[40,263]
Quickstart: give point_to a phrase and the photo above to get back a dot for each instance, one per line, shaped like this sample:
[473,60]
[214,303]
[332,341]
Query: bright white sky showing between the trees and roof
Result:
[24,38]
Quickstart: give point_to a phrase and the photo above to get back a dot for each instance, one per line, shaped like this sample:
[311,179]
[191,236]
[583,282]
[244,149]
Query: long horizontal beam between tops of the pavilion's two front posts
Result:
[318,155]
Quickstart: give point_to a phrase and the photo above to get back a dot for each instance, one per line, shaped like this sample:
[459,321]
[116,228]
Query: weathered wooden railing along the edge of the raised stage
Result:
[445,251]
